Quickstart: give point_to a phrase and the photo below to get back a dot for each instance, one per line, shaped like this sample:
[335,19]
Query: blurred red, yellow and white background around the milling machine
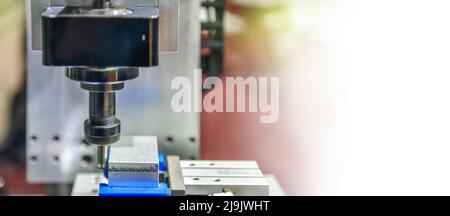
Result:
[364,95]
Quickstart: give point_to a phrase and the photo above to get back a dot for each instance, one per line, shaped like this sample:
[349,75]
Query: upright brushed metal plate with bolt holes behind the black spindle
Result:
[57,107]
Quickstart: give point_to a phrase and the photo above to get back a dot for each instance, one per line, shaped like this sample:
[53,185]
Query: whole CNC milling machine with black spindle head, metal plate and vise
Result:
[98,105]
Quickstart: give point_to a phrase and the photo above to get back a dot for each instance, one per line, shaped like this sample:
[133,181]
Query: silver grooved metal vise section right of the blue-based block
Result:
[209,178]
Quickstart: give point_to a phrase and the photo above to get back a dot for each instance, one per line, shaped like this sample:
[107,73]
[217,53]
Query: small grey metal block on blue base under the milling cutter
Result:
[133,162]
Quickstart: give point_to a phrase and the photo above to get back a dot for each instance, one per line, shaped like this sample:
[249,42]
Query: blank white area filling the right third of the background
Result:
[376,86]
